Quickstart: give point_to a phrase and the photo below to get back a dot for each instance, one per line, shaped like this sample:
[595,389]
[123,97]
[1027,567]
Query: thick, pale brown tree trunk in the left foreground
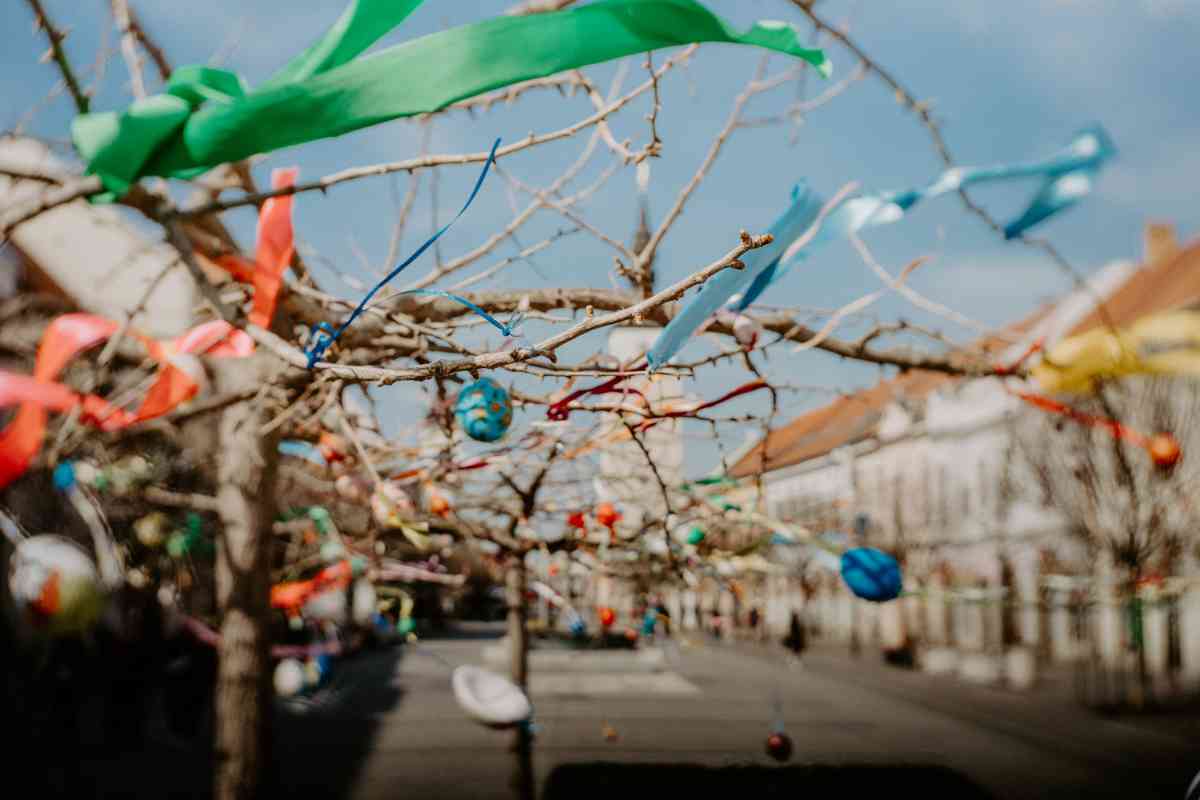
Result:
[247,465]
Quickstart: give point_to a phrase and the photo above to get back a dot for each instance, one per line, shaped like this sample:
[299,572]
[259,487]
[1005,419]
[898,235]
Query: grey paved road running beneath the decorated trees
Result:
[859,730]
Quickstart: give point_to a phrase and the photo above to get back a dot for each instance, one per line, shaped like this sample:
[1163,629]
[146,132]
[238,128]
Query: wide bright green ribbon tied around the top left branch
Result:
[211,117]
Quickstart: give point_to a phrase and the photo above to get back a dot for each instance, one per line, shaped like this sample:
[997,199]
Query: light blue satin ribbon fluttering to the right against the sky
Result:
[1067,177]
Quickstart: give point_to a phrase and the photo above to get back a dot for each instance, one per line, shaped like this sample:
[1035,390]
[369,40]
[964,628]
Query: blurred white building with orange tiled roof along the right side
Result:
[932,465]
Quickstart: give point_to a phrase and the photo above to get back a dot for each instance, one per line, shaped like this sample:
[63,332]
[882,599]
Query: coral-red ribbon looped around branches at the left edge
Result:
[70,335]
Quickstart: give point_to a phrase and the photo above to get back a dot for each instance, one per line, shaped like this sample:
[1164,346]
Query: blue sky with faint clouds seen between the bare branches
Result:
[1009,81]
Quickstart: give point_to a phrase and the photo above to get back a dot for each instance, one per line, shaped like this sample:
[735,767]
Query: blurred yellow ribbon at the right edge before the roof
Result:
[1167,344]
